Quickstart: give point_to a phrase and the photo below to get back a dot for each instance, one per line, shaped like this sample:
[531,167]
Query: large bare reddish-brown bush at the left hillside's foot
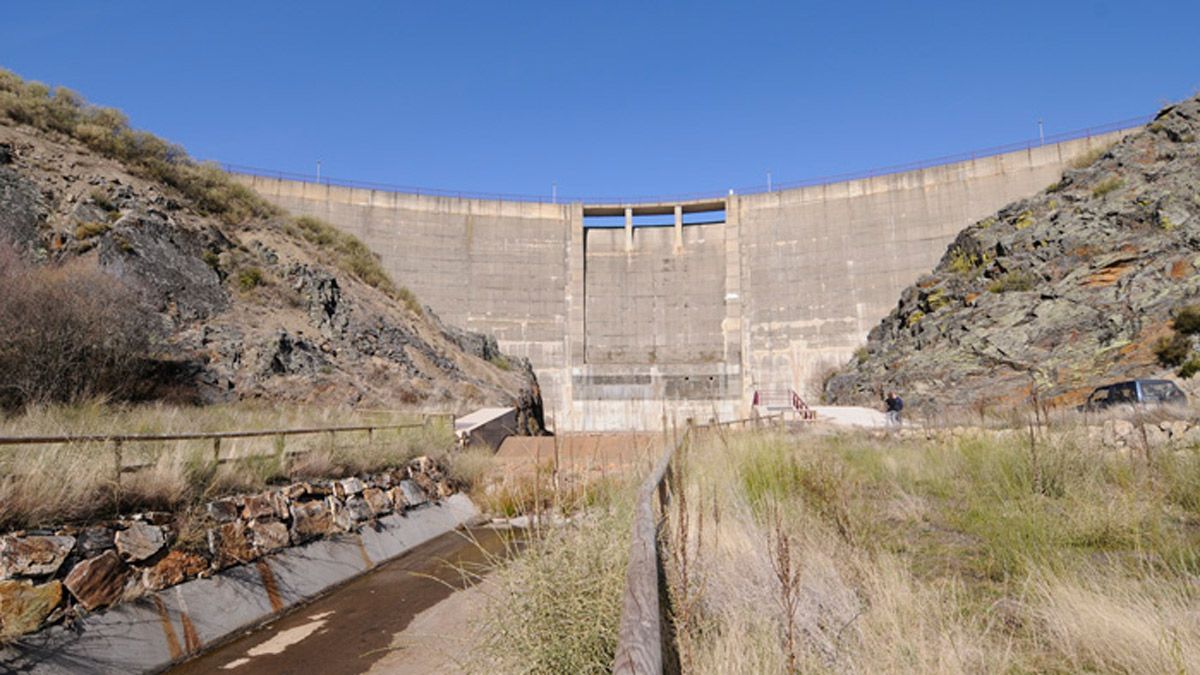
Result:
[67,332]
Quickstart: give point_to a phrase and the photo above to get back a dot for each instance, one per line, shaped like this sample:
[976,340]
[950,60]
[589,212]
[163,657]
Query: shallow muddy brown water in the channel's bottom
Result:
[350,630]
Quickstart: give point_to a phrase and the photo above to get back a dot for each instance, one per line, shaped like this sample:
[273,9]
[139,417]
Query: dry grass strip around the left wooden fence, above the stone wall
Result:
[43,486]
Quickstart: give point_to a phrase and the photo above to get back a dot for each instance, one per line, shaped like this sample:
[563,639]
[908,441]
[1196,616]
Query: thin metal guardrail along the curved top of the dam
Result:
[1087,133]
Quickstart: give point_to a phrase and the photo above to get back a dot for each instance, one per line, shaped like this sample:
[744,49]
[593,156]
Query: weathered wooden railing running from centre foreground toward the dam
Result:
[640,647]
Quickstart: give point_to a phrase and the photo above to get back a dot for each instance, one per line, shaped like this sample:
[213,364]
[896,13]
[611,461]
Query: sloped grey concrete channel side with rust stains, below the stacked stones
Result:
[153,632]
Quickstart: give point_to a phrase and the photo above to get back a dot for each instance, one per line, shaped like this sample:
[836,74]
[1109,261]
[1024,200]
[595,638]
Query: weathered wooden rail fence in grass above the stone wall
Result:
[118,441]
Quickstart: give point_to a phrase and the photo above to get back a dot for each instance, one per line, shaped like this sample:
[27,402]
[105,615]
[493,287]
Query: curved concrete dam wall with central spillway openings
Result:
[637,313]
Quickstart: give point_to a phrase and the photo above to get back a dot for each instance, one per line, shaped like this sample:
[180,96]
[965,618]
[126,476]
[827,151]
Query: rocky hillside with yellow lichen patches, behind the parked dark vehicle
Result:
[1057,294]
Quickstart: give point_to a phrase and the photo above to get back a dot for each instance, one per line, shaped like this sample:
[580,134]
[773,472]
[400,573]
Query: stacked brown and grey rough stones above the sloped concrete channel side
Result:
[59,575]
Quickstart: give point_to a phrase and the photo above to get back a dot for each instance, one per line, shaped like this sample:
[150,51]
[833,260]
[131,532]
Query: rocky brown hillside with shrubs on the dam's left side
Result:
[247,302]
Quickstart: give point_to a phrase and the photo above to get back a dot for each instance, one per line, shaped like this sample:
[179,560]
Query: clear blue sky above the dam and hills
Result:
[605,98]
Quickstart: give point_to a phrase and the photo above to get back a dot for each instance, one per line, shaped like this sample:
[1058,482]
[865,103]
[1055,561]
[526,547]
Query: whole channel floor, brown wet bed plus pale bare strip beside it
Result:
[364,626]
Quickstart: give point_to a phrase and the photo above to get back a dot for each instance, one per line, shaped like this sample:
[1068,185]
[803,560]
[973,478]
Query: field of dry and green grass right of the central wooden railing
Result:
[855,554]
